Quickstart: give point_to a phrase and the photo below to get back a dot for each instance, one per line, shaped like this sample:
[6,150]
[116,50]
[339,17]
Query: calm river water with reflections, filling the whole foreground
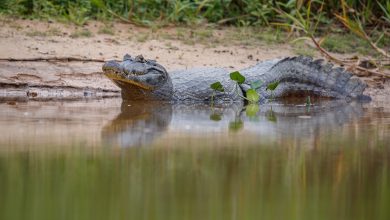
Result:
[111,160]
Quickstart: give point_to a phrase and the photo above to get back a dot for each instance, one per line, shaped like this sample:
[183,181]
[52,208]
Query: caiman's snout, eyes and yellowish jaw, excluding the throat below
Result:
[133,74]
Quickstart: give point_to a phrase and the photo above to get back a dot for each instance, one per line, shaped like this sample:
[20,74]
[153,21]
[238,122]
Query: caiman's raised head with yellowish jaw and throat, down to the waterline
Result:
[139,79]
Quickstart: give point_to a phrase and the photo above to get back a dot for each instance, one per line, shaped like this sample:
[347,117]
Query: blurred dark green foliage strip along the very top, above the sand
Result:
[235,12]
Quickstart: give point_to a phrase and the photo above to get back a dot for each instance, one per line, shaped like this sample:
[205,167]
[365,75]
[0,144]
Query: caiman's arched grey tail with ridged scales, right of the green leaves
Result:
[301,75]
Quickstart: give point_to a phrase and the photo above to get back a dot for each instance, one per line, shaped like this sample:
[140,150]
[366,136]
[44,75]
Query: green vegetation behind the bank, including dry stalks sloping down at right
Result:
[323,22]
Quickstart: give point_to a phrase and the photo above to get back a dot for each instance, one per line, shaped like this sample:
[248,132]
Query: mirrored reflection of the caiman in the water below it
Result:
[141,123]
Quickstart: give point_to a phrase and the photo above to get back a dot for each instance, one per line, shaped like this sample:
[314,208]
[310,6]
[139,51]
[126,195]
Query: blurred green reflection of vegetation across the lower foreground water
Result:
[213,183]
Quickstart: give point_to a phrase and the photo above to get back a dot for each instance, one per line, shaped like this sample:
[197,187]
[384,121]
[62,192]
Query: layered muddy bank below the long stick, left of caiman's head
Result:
[44,81]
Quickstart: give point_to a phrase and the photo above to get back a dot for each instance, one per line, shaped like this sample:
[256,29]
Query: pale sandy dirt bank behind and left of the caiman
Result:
[31,39]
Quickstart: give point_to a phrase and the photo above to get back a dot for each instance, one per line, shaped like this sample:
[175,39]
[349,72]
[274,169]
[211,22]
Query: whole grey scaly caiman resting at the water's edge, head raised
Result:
[143,79]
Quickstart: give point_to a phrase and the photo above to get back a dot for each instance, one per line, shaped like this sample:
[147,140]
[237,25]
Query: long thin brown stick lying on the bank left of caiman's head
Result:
[51,59]
